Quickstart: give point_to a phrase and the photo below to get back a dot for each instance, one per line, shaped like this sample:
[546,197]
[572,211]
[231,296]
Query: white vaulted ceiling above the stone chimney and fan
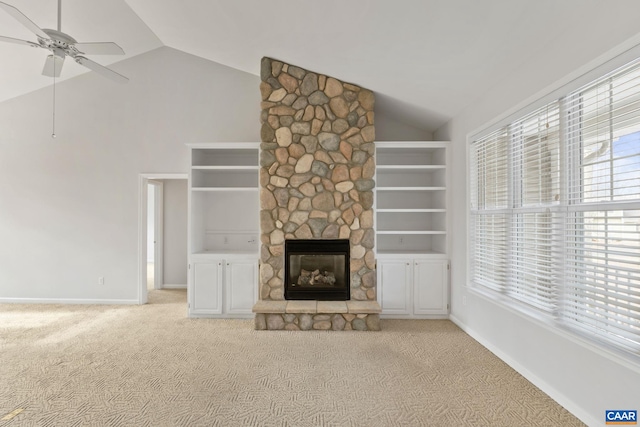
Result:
[426,59]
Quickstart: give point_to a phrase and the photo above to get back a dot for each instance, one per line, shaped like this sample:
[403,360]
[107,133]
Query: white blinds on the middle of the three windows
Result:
[535,158]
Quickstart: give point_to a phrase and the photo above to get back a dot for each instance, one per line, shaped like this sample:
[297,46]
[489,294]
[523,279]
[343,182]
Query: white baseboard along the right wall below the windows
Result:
[551,391]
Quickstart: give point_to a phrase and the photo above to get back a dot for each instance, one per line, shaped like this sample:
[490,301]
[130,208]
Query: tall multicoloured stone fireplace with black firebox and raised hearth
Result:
[317,169]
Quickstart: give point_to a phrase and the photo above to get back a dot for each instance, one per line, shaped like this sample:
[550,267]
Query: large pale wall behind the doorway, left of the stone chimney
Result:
[69,206]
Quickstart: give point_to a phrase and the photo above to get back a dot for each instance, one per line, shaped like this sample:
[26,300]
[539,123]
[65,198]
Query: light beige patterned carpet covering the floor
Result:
[151,366]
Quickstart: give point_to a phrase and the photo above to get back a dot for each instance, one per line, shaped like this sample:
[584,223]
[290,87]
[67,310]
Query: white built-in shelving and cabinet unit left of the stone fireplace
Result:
[224,211]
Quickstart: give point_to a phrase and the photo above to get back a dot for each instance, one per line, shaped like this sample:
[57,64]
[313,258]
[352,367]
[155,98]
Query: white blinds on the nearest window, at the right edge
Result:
[602,271]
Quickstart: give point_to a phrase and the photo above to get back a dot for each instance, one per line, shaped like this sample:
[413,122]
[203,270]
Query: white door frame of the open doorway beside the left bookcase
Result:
[143,181]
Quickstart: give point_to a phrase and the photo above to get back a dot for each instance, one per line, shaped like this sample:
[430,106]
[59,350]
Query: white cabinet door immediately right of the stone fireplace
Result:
[394,283]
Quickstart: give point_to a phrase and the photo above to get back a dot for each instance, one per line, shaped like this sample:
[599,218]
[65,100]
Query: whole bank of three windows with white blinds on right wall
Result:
[555,210]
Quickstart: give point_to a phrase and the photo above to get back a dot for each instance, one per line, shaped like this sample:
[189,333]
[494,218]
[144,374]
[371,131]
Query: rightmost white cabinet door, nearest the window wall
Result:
[430,293]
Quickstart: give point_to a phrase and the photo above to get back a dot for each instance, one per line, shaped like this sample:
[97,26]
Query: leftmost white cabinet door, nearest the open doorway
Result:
[206,287]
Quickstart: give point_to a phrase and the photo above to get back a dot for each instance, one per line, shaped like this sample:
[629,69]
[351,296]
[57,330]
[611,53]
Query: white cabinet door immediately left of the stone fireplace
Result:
[241,284]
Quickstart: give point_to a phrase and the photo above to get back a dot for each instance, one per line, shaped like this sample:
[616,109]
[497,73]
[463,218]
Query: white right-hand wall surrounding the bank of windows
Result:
[584,380]
